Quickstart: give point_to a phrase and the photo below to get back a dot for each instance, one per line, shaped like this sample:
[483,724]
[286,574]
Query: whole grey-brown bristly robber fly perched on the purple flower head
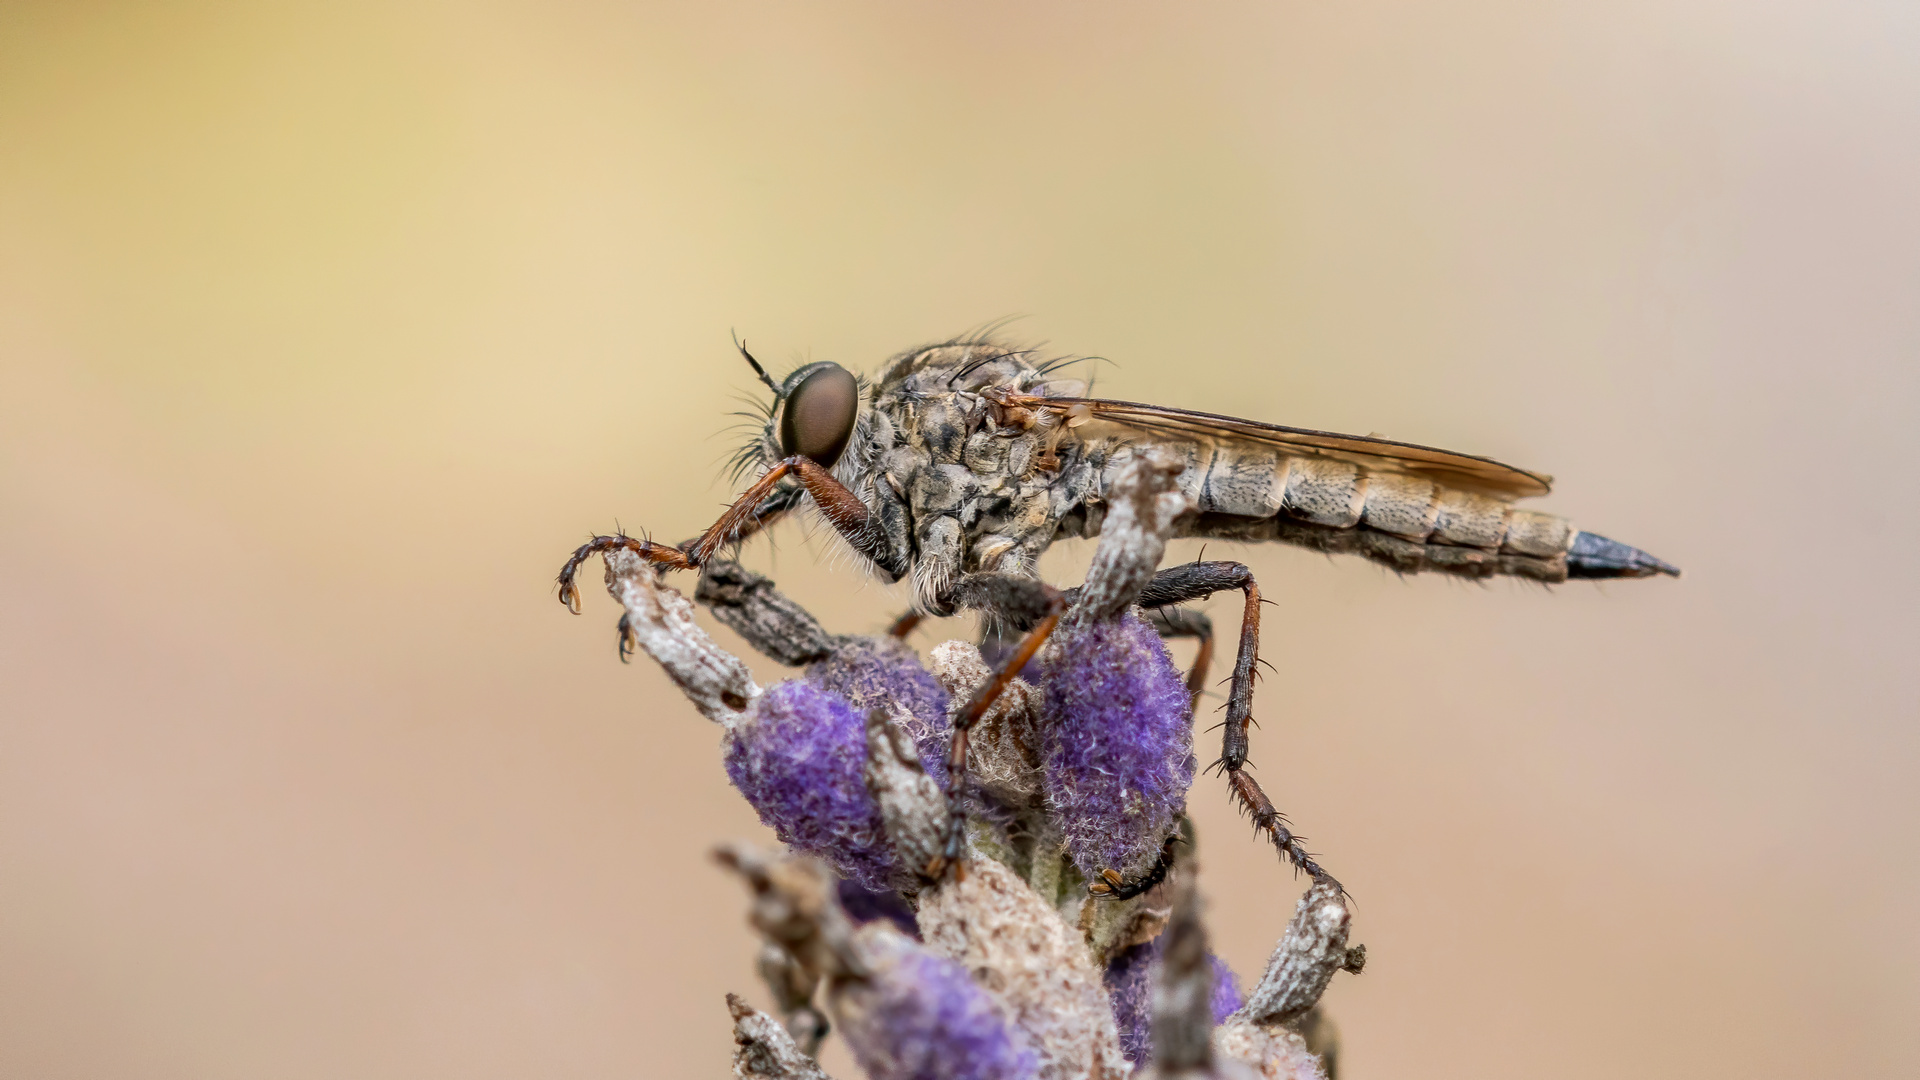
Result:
[963,462]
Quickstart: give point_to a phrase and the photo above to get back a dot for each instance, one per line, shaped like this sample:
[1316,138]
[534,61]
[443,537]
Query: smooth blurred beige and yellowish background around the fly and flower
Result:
[329,330]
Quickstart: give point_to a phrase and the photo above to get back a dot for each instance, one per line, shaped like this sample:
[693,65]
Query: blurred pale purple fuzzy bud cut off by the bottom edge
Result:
[923,1018]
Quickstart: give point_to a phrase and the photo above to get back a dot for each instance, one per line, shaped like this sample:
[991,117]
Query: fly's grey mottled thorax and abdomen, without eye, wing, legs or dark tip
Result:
[963,478]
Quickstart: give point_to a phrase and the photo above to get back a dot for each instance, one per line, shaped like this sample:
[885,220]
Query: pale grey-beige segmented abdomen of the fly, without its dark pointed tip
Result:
[1404,522]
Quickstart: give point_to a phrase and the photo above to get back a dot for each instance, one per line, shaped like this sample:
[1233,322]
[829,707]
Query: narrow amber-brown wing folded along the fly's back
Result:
[1370,453]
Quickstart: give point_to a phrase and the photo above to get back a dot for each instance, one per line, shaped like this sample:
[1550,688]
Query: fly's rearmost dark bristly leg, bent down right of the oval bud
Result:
[1197,581]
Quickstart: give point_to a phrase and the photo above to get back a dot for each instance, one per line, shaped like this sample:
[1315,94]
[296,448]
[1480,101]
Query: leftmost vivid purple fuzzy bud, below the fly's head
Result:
[802,762]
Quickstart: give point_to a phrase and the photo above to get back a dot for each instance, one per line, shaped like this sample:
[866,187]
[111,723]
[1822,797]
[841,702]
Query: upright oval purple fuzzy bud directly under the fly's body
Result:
[1118,743]
